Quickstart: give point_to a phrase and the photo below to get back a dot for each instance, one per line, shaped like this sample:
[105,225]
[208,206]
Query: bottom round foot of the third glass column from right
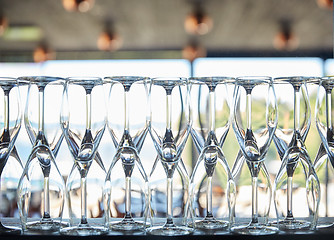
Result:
[255,229]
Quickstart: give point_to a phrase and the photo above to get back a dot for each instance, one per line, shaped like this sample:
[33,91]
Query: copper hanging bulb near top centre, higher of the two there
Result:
[198,22]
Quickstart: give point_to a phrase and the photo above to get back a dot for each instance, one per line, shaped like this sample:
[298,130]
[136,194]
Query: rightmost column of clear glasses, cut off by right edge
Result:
[324,161]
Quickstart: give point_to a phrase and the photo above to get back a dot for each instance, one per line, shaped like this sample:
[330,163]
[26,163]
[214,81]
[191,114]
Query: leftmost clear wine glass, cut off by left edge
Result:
[10,124]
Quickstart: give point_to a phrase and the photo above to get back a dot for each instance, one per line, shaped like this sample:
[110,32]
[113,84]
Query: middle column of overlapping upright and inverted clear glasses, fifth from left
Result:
[169,129]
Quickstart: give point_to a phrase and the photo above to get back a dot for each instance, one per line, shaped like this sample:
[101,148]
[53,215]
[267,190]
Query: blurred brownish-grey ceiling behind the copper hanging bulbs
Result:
[239,25]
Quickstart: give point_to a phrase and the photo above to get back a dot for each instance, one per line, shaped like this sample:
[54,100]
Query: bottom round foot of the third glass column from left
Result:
[84,230]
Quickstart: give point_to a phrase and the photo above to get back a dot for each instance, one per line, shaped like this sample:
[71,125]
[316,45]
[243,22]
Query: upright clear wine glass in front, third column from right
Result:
[254,124]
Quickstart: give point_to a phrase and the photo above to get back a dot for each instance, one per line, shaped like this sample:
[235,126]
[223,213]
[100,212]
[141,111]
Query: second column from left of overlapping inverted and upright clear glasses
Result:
[41,190]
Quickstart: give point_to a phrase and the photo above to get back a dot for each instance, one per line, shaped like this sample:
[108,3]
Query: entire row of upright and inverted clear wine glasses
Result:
[166,201]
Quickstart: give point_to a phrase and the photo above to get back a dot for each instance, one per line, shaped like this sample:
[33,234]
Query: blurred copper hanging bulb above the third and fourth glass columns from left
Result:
[109,41]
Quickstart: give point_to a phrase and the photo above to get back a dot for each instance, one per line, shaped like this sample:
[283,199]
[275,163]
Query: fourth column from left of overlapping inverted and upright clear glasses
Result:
[126,178]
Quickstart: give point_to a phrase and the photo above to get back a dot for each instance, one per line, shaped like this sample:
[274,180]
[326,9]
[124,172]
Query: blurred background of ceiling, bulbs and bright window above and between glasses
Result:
[166,38]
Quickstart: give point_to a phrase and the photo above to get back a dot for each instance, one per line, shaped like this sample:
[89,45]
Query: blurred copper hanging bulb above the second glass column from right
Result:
[286,39]
